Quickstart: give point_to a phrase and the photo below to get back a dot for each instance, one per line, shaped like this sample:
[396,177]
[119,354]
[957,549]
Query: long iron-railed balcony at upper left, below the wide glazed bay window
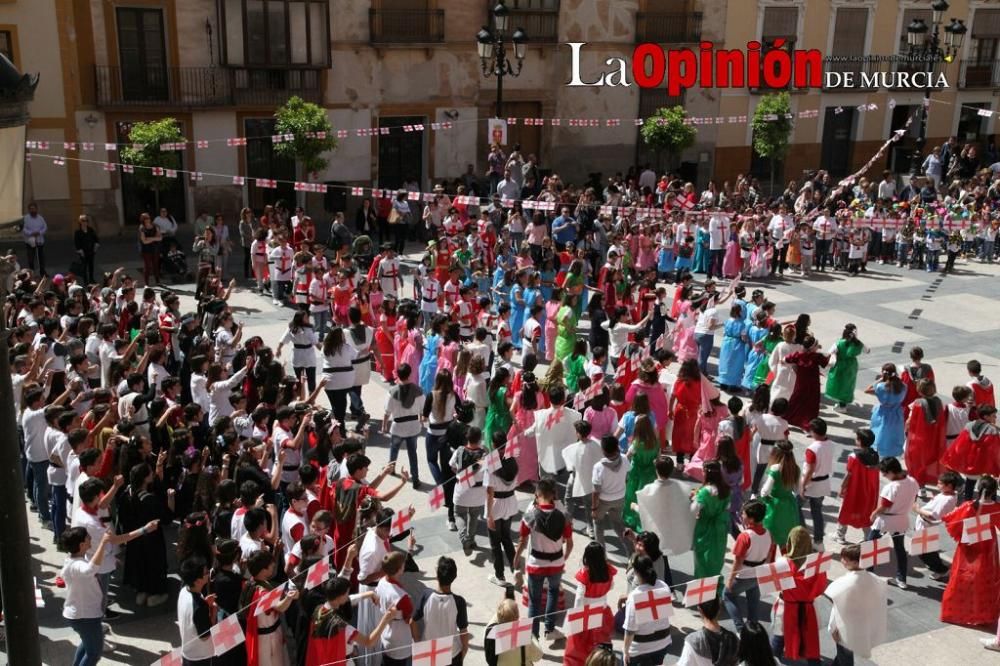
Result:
[187,87]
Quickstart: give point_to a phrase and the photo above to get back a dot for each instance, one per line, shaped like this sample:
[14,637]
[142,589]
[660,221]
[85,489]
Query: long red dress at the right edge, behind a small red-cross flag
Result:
[973,594]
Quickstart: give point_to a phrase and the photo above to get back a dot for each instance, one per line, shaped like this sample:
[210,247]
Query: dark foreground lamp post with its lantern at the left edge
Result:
[16,91]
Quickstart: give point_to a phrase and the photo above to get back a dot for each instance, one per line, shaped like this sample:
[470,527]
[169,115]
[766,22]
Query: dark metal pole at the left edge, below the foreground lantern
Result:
[16,578]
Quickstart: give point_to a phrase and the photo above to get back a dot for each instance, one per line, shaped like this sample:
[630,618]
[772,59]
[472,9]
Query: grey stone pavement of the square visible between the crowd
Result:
[951,317]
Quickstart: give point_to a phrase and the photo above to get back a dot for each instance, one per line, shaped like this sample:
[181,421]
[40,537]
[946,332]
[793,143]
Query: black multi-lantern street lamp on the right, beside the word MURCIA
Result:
[925,47]
